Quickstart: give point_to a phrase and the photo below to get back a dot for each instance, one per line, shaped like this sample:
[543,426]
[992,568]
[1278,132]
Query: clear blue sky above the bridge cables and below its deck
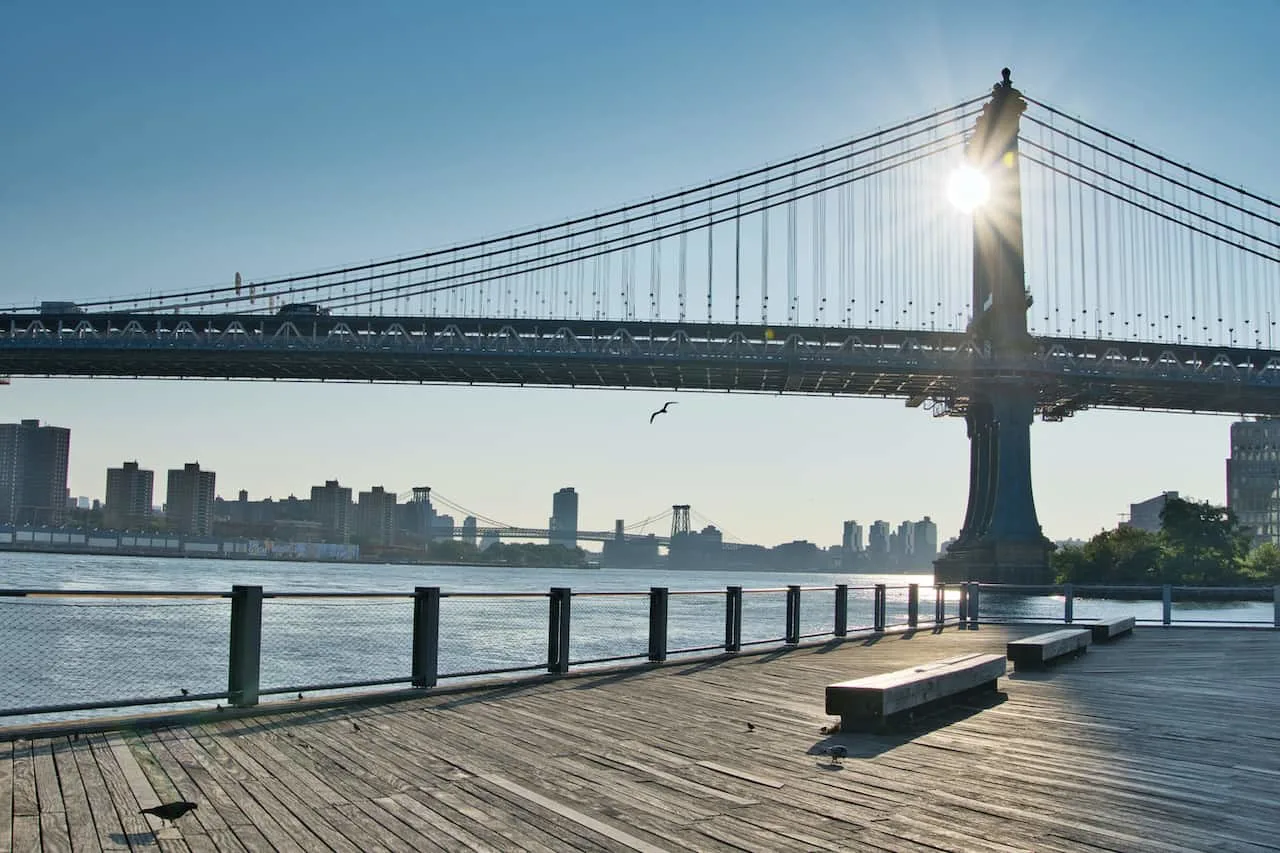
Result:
[156,147]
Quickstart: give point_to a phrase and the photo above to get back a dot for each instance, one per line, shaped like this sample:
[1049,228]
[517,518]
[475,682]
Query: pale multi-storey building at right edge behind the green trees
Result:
[1254,477]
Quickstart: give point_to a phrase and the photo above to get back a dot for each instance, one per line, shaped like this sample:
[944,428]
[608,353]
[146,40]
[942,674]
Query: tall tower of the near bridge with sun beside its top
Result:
[1002,540]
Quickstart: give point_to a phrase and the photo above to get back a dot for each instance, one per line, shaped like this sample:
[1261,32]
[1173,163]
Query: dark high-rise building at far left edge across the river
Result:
[34,473]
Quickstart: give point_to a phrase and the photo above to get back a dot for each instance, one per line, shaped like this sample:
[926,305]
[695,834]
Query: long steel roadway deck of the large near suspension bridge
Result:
[1069,375]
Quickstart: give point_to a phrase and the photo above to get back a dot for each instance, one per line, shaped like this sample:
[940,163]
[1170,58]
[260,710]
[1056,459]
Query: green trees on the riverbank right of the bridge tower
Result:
[1199,544]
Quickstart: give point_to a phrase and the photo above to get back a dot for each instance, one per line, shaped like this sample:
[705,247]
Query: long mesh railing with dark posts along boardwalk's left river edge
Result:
[74,653]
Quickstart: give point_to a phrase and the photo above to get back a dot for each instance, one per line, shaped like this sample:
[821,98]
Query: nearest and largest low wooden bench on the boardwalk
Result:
[877,701]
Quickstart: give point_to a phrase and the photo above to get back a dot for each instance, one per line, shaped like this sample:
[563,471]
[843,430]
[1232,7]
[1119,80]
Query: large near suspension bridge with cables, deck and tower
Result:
[1075,270]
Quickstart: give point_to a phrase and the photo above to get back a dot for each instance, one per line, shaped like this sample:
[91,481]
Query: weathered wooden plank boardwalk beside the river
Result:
[1168,741]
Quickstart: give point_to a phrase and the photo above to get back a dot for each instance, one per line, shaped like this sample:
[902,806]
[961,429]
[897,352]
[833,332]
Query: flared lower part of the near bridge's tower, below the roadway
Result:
[1002,541]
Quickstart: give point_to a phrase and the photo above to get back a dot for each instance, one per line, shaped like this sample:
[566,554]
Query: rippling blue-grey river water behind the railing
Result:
[66,650]
